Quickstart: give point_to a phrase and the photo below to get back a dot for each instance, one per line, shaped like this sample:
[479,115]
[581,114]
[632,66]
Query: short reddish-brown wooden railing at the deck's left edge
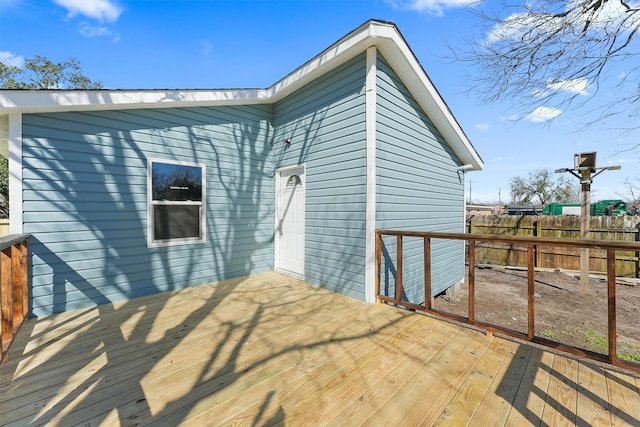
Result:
[14,282]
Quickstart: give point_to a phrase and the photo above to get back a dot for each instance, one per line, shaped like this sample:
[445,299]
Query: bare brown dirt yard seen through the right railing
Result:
[563,313]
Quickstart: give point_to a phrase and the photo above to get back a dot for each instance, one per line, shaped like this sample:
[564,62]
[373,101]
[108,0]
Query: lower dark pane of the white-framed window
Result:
[176,221]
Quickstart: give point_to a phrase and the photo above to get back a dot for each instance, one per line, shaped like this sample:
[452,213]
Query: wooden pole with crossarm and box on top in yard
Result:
[585,170]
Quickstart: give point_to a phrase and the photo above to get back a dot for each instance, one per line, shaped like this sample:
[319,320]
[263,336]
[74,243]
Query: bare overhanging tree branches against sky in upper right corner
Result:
[548,54]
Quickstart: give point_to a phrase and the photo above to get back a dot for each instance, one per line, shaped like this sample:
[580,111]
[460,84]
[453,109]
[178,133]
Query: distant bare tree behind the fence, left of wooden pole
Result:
[543,186]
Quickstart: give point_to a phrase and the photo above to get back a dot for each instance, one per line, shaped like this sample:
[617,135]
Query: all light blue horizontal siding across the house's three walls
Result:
[85,191]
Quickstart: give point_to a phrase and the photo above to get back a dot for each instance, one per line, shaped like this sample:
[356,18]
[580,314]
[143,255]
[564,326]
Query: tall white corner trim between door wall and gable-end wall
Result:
[370,210]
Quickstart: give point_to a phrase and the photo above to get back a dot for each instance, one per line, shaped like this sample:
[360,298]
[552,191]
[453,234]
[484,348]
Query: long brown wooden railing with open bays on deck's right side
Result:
[609,246]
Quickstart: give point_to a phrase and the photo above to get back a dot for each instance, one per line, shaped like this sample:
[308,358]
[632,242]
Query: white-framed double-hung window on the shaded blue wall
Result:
[176,195]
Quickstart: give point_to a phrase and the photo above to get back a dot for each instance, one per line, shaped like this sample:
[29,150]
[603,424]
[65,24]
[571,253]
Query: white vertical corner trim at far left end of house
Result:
[15,173]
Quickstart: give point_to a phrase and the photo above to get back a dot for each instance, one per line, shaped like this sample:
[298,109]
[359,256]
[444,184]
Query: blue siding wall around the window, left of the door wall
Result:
[85,201]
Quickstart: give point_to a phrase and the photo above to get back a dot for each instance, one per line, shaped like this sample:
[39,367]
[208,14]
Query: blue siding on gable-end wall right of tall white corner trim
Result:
[418,188]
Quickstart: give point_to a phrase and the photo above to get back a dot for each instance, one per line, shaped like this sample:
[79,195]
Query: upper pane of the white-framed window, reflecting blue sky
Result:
[175,182]
